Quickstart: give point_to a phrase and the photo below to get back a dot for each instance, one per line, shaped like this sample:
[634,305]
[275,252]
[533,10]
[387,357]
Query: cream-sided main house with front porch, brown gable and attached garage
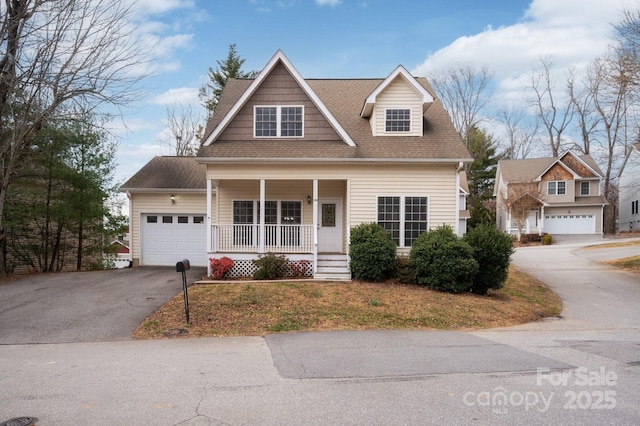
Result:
[289,165]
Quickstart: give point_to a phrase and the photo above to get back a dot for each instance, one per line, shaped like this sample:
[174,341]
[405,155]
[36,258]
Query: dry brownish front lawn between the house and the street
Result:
[235,309]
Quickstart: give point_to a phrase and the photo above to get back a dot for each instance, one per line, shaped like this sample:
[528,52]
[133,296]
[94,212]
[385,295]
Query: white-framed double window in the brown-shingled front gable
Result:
[278,121]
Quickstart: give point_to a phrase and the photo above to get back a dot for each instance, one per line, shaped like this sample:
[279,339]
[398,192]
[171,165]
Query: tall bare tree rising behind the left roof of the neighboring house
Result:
[555,114]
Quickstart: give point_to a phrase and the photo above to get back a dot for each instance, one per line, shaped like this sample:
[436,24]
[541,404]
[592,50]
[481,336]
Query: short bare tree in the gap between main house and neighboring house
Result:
[520,134]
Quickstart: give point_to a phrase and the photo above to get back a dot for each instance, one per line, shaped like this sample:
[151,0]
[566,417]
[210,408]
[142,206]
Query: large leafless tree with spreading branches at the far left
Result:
[57,56]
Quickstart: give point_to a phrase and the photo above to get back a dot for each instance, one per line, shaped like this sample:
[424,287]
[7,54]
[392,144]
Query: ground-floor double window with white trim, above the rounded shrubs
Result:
[404,217]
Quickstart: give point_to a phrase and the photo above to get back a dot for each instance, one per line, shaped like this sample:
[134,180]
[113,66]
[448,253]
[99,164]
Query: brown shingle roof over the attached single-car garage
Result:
[179,173]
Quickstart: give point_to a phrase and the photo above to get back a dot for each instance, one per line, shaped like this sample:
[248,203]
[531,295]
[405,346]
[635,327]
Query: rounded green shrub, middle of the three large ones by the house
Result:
[443,262]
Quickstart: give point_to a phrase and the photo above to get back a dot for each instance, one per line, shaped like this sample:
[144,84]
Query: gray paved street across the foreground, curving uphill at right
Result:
[581,369]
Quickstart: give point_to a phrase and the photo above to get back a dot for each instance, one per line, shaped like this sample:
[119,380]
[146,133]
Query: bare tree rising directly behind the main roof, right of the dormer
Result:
[464,92]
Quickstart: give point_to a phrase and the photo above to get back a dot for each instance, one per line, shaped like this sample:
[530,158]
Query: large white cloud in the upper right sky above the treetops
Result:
[567,30]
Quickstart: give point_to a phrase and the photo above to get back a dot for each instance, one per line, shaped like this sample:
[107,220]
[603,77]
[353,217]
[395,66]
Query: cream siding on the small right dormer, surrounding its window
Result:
[399,94]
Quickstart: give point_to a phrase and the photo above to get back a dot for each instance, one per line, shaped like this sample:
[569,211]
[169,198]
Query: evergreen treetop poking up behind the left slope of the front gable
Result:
[230,68]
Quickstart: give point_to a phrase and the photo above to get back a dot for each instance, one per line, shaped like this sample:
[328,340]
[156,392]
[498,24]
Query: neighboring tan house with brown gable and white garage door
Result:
[567,191]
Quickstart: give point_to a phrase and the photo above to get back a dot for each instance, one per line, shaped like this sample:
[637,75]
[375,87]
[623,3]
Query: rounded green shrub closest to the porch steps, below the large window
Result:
[372,253]
